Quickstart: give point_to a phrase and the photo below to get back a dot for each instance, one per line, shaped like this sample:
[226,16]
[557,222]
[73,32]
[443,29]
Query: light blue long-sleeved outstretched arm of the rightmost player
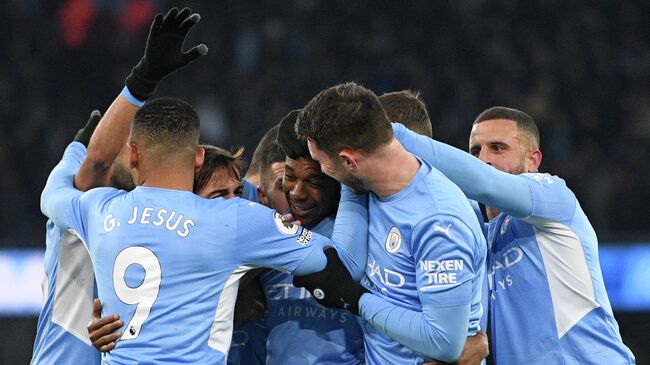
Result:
[478,180]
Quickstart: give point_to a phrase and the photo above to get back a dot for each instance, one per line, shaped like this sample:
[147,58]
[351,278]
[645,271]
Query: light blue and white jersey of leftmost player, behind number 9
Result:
[68,290]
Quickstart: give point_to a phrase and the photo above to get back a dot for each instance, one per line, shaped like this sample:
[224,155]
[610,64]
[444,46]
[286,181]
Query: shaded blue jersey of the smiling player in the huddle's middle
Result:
[301,331]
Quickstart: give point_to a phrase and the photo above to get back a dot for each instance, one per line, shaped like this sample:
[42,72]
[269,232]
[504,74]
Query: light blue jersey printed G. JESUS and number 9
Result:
[169,262]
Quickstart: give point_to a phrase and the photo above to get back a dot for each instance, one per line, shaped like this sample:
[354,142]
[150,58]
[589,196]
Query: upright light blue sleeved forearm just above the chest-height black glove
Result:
[350,232]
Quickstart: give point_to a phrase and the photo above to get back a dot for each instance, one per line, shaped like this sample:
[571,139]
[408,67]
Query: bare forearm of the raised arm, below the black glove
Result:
[107,141]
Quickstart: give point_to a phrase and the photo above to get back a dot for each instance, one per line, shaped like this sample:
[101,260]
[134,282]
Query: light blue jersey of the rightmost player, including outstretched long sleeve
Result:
[548,303]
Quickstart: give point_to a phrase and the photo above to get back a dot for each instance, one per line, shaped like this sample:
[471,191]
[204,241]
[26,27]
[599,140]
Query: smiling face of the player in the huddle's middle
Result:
[311,194]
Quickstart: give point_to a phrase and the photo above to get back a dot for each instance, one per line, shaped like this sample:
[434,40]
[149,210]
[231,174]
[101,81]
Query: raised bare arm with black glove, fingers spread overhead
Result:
[163,55]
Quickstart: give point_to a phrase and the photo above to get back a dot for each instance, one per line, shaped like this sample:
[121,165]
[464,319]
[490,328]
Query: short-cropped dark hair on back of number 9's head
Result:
[166,126]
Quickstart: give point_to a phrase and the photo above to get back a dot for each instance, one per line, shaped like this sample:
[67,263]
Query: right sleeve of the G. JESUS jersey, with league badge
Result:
[265,239]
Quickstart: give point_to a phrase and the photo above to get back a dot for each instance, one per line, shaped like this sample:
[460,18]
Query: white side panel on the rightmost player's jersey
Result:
[567,273]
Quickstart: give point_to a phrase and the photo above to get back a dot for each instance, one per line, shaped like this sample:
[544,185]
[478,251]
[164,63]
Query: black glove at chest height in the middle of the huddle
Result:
[333,287]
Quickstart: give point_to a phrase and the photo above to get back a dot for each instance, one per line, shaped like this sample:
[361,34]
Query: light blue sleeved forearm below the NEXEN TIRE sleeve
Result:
[438,333]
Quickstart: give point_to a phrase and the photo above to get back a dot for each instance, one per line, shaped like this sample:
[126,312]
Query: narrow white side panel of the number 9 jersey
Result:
[221,331]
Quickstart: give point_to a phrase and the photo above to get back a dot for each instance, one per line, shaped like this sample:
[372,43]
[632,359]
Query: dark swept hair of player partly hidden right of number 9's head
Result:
[217,158]
